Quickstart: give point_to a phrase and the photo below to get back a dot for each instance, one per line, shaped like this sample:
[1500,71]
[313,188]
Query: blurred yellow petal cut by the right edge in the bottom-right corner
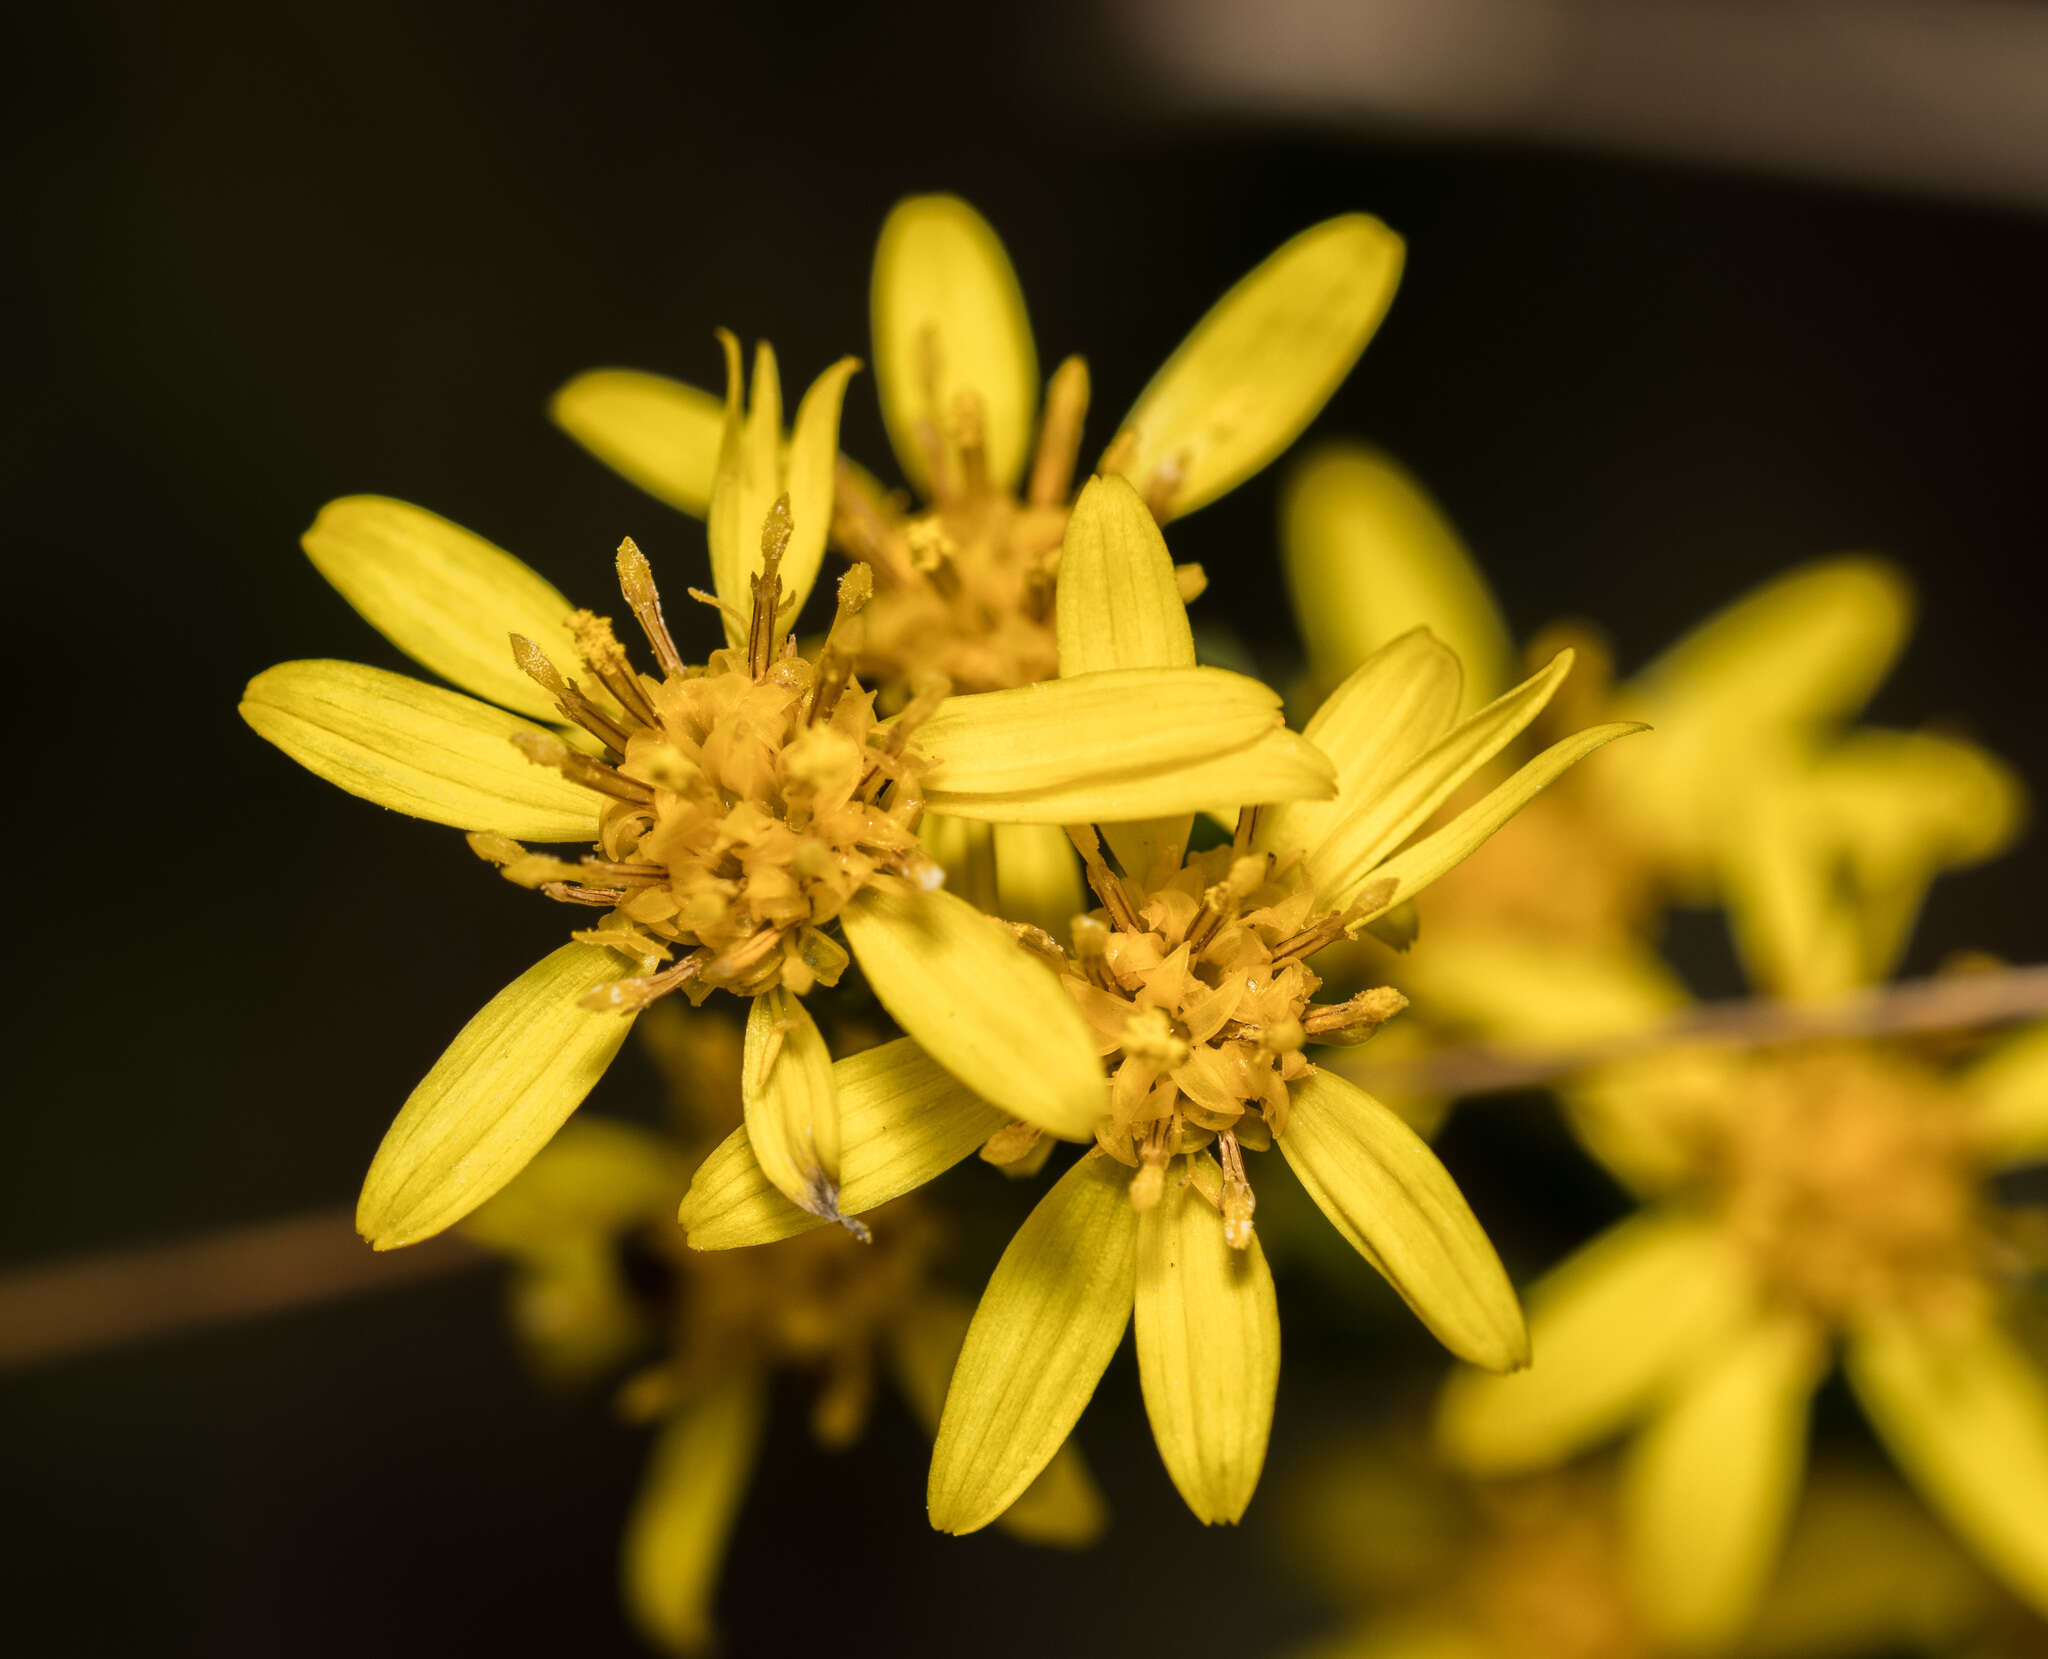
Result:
[1965,1412]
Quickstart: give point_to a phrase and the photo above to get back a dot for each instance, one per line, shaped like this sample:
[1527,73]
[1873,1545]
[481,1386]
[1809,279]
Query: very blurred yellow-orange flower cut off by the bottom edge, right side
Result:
[1431,1568]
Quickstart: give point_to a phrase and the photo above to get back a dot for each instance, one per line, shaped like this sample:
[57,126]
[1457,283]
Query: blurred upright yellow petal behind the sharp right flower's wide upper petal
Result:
[1369,556]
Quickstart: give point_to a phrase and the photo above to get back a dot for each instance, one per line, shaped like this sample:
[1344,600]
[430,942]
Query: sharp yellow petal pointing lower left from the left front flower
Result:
[495,1099]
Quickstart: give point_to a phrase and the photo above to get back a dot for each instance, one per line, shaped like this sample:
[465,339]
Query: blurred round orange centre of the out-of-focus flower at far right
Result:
[1854,1185]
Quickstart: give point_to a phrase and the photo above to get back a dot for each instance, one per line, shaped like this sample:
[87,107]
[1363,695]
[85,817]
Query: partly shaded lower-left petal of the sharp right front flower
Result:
[1039,1343]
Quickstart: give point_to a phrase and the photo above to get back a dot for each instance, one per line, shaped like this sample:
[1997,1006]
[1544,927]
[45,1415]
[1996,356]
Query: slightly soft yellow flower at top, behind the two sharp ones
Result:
[966,583]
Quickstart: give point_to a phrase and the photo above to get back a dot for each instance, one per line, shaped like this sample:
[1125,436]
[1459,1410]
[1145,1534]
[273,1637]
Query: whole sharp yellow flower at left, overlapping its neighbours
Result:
[734,814]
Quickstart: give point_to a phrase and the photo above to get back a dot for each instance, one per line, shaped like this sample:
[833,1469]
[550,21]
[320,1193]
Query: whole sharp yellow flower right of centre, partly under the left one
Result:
[1197,988]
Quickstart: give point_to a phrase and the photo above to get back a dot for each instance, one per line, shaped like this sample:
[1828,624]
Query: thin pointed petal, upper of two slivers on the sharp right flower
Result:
[1365,828]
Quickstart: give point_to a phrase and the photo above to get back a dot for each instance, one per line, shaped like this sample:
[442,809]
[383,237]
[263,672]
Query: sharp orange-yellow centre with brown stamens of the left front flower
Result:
[740,806]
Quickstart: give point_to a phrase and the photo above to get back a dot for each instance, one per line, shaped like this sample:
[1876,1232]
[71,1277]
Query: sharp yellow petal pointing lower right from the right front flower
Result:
[1398,1207]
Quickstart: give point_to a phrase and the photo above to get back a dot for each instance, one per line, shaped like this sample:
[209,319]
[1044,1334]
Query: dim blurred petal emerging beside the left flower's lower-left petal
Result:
[591,1183]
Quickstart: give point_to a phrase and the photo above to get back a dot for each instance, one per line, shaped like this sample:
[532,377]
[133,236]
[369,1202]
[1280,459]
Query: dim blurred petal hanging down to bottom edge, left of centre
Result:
[685,1513]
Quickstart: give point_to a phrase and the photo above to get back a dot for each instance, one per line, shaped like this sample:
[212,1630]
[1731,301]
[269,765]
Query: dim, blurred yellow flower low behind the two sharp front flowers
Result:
[603,1281]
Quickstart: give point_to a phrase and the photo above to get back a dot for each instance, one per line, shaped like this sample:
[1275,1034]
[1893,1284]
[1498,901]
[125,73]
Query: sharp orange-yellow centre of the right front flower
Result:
[1201,998]
